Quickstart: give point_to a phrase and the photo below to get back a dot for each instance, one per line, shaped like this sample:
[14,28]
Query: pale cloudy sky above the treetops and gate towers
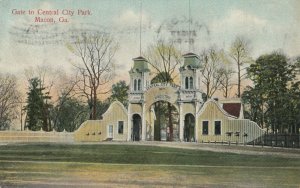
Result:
[268,25]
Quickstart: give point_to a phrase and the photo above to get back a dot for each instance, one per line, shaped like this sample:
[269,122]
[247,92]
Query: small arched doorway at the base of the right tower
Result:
[189,128]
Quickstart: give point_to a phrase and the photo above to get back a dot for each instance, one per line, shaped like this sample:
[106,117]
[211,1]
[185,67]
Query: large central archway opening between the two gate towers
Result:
[165,118]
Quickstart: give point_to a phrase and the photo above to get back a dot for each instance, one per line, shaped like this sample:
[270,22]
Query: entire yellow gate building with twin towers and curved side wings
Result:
[165,111]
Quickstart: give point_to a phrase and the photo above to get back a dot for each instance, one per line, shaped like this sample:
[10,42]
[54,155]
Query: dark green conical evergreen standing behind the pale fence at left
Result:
[38,114]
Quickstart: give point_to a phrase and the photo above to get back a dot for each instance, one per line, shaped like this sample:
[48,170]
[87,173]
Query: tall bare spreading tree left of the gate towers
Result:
[96,52]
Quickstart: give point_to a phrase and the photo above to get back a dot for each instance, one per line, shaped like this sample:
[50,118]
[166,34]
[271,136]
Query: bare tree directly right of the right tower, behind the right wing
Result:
[212,71]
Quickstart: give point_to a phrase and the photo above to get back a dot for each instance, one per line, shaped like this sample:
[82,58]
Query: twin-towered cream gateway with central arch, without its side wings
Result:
[186,98]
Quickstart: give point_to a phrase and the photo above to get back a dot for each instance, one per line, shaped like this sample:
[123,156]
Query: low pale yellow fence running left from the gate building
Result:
[35,136]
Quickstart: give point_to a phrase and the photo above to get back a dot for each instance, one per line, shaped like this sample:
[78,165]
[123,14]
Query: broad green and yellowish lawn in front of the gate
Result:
[121,165]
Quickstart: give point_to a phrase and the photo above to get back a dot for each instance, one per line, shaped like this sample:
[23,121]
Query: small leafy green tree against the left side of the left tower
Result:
[119,92]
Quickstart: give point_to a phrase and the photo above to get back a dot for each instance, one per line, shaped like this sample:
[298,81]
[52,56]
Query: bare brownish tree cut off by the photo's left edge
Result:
[9,99]
